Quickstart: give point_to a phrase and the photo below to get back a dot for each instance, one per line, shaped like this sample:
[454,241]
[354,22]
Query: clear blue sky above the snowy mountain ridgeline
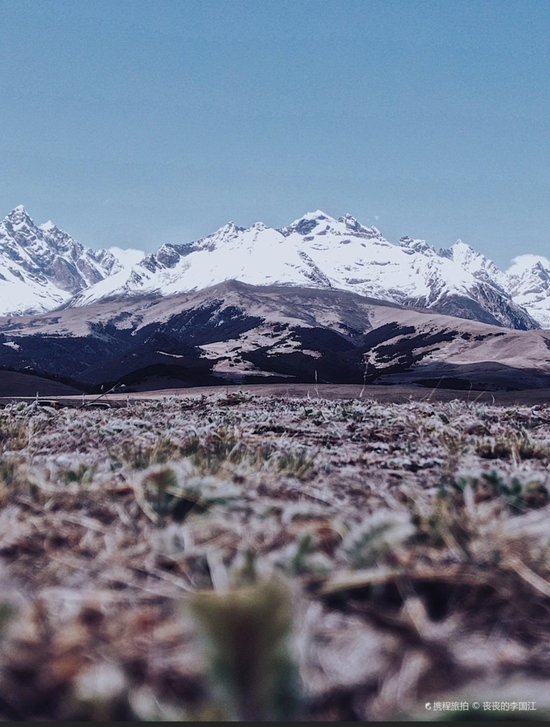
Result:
[139,122]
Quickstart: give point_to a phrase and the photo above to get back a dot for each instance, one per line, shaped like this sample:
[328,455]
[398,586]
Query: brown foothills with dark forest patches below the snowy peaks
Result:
[237,333]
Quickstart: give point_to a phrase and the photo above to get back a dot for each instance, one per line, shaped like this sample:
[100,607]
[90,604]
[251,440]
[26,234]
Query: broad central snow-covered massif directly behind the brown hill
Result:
[320,251]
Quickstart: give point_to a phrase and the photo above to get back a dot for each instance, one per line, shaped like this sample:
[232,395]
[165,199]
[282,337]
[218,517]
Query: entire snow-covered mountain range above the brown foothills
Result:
[42,268]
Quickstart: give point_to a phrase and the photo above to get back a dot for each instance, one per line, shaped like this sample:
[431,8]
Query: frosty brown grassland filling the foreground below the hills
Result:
[384,555]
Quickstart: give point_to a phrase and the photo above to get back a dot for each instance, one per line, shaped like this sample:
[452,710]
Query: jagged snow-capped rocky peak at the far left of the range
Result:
[42,267]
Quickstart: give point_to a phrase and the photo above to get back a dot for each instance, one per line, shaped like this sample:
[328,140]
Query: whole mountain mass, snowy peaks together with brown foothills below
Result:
[322,300]
